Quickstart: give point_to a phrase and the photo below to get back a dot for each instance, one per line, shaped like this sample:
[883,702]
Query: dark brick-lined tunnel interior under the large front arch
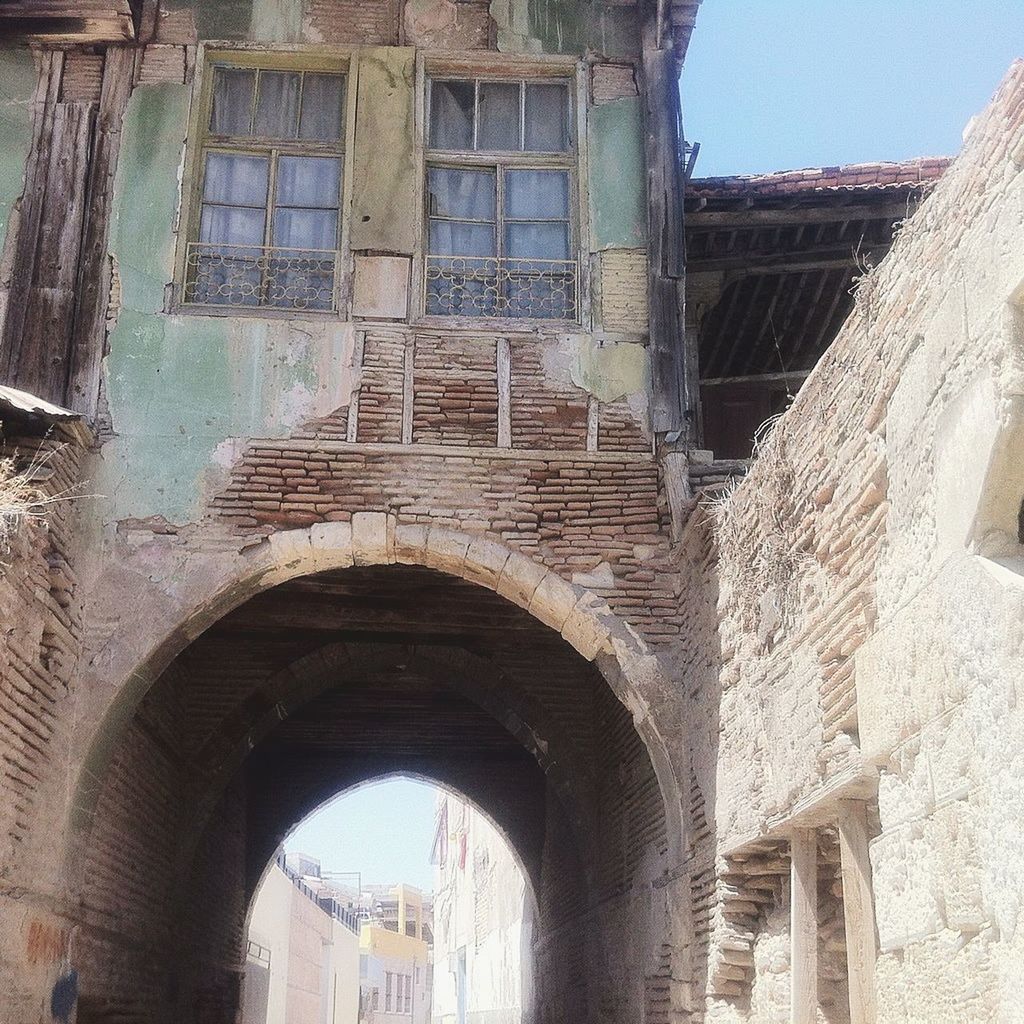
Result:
[324,682]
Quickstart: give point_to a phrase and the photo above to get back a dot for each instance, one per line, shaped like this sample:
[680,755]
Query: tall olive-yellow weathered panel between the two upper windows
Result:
[386,216]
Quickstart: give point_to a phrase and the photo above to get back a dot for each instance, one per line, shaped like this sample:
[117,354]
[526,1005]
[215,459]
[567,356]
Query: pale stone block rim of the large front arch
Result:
[208,584]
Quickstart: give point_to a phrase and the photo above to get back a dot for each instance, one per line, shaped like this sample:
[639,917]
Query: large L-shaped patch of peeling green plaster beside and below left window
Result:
[182,389]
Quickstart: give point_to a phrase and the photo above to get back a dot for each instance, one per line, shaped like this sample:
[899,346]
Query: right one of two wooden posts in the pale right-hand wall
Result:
[859,909]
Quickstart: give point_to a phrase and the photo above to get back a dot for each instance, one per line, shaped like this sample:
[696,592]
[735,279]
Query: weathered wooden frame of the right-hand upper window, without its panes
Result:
[498,68]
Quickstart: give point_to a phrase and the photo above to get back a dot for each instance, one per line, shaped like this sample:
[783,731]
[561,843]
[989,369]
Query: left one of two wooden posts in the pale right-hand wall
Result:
[804,926]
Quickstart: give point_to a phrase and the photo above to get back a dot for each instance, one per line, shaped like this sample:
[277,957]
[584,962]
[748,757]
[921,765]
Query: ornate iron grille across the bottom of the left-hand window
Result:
[261,277]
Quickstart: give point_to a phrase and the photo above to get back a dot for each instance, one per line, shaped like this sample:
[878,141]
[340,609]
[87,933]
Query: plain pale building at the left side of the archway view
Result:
[303,964]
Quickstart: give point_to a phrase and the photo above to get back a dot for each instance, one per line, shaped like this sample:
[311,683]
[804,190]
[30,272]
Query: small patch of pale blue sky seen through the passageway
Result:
[383,831]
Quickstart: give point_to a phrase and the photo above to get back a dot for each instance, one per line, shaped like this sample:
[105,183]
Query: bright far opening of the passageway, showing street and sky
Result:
[397,897]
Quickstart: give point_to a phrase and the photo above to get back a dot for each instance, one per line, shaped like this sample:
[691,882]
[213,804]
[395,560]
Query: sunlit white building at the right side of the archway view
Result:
[484,923]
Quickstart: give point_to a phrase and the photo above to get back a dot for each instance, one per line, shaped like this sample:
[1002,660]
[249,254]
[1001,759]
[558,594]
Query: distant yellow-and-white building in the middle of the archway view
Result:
[396,963]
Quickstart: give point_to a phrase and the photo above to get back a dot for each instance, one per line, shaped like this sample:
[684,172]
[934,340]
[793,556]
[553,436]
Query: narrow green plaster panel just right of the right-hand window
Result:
[618,176]
